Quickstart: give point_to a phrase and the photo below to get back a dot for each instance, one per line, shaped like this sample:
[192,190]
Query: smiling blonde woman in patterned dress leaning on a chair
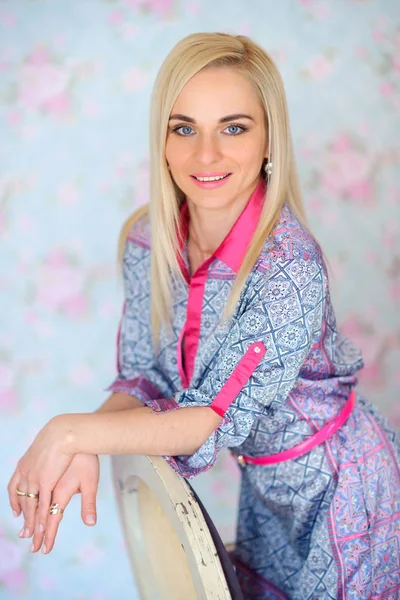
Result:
[228,339]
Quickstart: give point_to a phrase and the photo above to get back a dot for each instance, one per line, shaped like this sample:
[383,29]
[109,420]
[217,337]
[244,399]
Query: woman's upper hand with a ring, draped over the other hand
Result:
[38,472]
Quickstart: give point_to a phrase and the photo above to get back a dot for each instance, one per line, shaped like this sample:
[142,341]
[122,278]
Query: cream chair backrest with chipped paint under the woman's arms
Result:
[171,550]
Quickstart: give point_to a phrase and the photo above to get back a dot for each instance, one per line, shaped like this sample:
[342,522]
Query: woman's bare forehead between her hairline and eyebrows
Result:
[215,92]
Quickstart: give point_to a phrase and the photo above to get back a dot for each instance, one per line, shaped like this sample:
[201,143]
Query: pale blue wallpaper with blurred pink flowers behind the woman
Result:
[75,83]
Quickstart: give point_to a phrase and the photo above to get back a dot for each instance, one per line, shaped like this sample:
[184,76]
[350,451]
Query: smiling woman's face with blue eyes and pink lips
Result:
[216,128]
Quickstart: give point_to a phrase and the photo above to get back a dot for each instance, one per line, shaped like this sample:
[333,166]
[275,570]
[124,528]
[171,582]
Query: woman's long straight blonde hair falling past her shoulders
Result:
[192,54]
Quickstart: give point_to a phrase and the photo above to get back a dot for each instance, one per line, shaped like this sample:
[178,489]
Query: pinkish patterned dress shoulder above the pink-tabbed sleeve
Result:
[290,240]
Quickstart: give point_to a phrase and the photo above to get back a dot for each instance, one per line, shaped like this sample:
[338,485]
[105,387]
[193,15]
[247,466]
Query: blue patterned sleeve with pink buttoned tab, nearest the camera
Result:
[258,363]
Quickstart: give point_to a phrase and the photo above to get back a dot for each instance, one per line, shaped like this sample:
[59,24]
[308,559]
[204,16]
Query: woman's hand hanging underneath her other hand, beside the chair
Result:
[82,476]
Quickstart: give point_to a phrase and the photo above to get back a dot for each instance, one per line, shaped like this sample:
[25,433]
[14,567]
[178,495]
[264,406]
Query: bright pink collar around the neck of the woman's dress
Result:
[233,248]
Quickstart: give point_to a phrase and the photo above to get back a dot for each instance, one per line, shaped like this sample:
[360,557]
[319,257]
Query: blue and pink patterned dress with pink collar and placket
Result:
[327,524]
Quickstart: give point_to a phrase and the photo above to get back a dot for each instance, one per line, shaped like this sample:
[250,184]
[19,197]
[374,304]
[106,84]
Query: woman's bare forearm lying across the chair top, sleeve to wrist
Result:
[139,431]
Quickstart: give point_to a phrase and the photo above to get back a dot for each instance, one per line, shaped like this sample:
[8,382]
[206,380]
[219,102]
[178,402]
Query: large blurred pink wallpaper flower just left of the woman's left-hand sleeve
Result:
[60,285]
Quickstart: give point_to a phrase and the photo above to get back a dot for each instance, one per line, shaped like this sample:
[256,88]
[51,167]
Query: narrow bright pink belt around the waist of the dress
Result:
[323,434]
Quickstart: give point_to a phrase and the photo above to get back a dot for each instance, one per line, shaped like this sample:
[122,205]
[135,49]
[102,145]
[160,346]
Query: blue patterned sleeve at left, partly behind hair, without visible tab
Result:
[137,372]
